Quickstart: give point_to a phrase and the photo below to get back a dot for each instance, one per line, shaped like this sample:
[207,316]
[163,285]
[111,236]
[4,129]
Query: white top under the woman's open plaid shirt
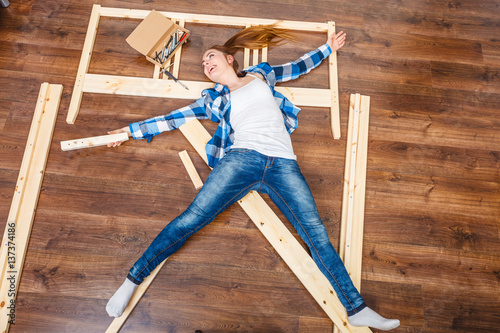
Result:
[257,121]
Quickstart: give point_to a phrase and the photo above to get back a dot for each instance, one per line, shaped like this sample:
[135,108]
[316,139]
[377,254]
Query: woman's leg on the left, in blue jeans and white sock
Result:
[231,179]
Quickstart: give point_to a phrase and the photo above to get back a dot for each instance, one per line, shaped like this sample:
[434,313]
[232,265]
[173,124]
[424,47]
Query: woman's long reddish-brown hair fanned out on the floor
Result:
[256,37]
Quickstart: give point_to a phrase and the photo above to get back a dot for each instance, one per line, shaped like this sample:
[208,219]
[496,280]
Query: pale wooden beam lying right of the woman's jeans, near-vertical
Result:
[353,202]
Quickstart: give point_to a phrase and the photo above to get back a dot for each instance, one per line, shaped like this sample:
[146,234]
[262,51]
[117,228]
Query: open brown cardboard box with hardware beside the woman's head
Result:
[158,38]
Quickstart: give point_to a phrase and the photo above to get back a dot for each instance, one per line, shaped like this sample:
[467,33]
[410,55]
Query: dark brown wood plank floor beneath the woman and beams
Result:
[431,250]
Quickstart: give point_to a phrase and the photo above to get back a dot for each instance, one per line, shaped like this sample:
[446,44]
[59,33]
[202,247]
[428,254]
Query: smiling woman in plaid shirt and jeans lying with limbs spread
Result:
[250,151]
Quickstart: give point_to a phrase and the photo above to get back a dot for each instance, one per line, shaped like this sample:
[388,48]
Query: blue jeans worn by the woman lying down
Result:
[241,171]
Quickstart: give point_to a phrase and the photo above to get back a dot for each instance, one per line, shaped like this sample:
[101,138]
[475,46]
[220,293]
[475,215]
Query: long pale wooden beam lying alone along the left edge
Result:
[25,199]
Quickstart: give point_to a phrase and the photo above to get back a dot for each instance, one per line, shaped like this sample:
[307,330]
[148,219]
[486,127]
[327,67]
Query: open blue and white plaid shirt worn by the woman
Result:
[215,104]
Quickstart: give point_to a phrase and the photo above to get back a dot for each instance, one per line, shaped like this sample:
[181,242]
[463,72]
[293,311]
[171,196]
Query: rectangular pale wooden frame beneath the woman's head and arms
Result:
[132,86]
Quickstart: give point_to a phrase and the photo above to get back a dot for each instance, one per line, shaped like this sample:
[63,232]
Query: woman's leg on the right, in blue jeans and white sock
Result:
[288,189]
